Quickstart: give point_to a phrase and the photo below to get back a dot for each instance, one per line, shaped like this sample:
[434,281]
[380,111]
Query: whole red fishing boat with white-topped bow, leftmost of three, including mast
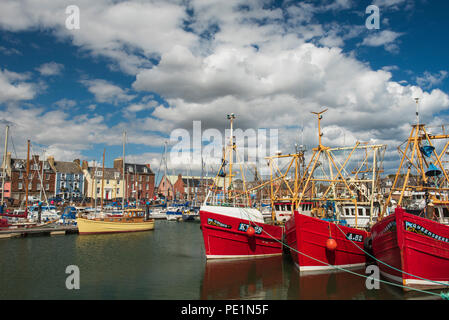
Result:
[233,229]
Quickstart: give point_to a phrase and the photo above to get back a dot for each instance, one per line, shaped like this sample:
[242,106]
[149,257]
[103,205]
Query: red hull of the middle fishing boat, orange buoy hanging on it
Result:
[308,235]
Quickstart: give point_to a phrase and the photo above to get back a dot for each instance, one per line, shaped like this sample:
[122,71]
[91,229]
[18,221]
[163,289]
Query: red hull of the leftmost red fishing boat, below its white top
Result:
[225,240]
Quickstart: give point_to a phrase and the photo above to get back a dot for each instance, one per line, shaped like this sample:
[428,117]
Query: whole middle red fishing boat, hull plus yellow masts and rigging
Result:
[320,239]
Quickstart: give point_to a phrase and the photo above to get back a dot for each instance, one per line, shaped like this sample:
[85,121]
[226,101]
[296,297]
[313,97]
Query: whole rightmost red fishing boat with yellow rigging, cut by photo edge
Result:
[414,239]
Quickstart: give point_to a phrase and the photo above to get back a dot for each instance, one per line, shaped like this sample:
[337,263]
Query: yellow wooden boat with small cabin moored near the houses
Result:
[132,220]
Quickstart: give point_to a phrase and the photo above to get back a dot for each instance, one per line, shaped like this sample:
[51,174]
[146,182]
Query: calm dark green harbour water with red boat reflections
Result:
[166,263]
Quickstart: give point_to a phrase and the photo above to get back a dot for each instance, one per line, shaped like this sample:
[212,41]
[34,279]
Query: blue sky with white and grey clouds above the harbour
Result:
[152,67]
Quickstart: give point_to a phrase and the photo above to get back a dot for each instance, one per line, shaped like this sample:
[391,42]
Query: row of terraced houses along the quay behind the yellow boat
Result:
[74,180]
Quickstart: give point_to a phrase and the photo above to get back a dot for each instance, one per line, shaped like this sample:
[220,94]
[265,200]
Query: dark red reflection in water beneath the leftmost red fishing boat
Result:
[258,278]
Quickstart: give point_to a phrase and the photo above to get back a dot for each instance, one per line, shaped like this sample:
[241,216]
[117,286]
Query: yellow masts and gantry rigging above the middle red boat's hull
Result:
[337,184]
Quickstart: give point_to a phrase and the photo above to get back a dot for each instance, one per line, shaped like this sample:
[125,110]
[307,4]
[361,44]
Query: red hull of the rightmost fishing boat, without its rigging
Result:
[416,245]
